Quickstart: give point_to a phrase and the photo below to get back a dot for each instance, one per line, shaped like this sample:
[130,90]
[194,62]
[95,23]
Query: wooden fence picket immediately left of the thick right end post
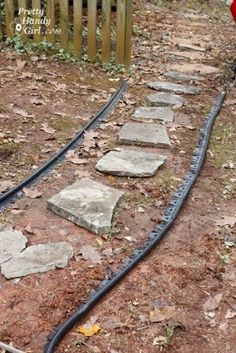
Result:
[106,30]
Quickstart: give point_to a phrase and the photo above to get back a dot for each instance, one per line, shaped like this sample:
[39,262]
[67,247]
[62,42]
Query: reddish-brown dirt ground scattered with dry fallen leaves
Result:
[182,298]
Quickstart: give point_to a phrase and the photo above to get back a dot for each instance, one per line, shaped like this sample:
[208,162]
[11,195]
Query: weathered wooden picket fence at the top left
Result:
[78,30]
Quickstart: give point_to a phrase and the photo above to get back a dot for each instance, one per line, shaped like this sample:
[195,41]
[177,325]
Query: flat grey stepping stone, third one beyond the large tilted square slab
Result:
[153,113]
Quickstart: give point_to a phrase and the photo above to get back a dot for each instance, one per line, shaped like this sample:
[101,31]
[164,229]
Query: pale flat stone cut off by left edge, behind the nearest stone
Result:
[12,242]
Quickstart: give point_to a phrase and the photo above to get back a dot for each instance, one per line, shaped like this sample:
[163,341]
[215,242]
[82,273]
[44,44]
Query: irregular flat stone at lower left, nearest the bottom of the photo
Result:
[37,259]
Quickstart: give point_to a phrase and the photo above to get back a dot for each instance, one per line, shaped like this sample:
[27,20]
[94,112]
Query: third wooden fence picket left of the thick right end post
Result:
[77,30]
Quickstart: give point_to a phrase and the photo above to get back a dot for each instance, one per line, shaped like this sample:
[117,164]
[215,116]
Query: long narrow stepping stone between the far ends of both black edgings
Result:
[174,87]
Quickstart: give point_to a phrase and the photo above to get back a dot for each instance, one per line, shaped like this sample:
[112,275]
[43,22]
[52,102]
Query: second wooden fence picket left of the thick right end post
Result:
[92,19]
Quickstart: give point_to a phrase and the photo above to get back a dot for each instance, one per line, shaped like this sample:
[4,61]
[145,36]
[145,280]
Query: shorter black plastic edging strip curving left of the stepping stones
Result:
[16,191]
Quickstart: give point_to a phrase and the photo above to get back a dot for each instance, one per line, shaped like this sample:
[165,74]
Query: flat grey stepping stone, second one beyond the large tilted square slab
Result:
[144,134]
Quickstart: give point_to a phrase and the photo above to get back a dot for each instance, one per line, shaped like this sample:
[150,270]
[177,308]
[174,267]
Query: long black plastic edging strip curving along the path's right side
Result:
[156,235]
